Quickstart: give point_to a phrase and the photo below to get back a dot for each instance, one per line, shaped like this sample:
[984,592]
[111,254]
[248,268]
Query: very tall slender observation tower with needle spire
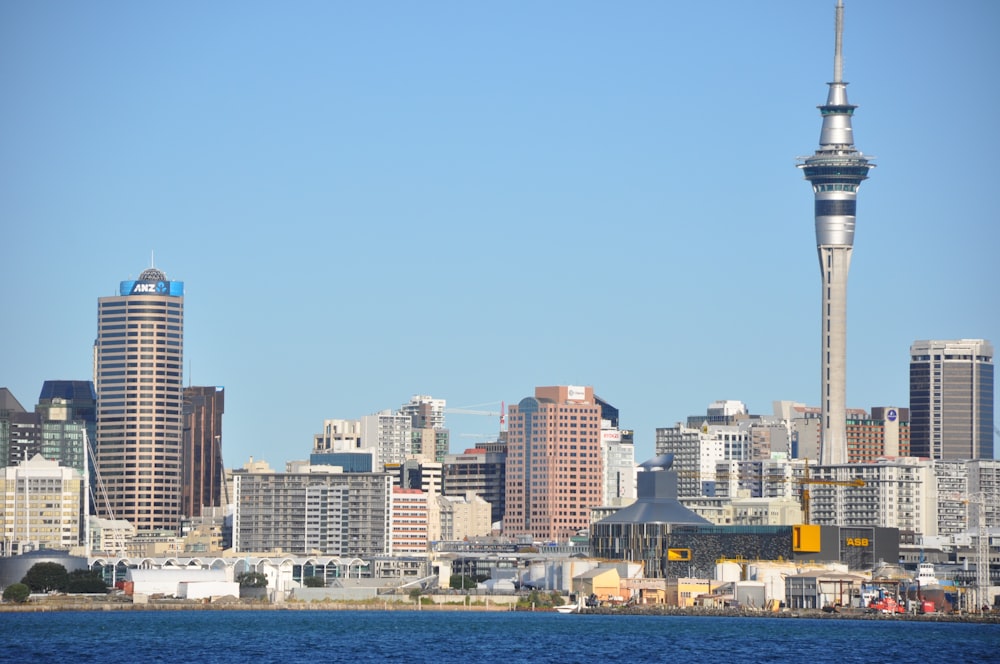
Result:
[835,171]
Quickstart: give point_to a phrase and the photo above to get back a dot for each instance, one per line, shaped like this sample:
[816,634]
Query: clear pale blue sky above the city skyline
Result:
[371,200]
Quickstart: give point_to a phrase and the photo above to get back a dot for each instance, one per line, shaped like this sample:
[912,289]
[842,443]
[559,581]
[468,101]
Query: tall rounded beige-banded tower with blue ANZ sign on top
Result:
[138,357]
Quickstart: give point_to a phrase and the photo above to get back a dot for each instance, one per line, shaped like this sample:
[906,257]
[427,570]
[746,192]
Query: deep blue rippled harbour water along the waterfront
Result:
[260,637]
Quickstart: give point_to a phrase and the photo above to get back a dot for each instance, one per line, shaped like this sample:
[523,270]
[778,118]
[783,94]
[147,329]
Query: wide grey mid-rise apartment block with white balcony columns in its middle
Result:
[314,508]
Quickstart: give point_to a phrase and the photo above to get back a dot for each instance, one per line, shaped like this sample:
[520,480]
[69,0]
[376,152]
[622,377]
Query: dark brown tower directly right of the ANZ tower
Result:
[201,459]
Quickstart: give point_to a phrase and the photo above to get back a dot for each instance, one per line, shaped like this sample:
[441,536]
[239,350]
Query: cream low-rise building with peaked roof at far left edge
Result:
[41,506]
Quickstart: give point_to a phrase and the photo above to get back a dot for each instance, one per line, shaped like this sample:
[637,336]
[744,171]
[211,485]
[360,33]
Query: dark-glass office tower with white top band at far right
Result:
[951,399]
